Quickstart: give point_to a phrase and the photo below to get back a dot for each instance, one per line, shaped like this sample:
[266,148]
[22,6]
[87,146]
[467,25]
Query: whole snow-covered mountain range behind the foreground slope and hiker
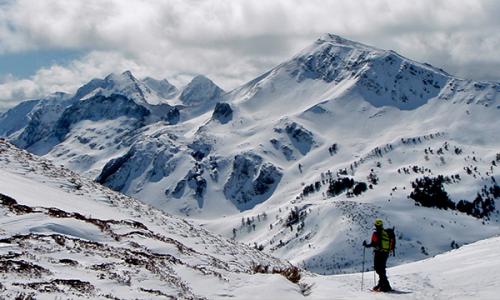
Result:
[301,159]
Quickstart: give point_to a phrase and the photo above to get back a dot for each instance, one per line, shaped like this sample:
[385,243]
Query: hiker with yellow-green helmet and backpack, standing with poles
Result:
[381,242]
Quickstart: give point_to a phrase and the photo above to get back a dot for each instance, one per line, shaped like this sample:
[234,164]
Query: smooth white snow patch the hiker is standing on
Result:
[466,273]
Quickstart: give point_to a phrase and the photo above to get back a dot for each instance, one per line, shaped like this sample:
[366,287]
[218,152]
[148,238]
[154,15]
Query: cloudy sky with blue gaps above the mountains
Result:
[57,45]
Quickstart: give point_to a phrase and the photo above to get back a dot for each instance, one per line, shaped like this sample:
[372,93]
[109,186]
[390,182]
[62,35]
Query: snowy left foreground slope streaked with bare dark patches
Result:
[64,236]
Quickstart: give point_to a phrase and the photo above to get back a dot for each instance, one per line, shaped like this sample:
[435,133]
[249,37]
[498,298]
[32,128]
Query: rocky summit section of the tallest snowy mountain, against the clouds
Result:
[381,77]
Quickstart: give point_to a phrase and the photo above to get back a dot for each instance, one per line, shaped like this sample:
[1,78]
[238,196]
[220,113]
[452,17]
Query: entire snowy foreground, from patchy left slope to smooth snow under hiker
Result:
[64,236]
